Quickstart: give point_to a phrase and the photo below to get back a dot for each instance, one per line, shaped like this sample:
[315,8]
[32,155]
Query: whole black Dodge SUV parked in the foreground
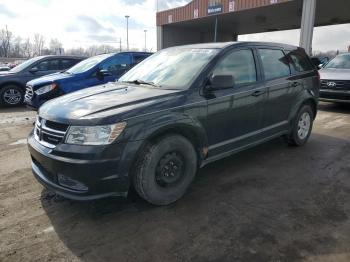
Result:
[175,112]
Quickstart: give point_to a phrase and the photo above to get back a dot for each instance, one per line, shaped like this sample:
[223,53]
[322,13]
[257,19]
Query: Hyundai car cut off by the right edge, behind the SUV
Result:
[335,80]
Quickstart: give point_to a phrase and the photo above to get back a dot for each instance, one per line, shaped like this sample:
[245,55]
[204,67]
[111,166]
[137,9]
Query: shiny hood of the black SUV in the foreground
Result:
[108,103]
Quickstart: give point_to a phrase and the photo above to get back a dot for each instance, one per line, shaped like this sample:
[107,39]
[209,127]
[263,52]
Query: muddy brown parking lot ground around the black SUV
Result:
[270,203]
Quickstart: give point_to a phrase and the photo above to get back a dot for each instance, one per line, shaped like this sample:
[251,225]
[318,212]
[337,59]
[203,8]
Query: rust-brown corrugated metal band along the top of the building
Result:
[187,12]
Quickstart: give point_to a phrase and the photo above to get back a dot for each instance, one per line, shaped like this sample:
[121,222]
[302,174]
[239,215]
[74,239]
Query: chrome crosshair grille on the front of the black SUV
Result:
[49,133]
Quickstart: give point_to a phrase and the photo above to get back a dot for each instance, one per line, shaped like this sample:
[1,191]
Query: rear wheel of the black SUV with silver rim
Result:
[299,137]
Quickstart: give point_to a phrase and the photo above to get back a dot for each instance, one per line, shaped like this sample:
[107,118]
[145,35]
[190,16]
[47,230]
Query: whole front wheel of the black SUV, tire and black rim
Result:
[150,178]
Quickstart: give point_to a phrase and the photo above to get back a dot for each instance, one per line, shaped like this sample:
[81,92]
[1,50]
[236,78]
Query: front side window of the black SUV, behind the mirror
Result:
[240,64]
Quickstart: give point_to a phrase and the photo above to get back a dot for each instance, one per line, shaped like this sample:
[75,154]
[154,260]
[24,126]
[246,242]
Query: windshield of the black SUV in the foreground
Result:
[173,68]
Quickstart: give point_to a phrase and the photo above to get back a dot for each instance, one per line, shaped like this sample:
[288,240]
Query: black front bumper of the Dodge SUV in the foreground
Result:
[83,173]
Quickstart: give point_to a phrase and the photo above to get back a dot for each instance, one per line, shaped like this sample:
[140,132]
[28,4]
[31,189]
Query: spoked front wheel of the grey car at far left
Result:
[11,95]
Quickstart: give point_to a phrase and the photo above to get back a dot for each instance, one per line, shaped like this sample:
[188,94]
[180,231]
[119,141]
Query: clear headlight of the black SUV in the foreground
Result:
[94,135]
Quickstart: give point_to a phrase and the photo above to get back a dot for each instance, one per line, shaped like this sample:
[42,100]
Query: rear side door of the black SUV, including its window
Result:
[280,87]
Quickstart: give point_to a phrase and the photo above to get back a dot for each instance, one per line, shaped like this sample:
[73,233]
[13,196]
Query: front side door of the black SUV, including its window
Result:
[235,114]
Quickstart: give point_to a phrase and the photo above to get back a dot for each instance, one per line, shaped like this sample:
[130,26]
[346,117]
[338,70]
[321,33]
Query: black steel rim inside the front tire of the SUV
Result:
[170,169]
